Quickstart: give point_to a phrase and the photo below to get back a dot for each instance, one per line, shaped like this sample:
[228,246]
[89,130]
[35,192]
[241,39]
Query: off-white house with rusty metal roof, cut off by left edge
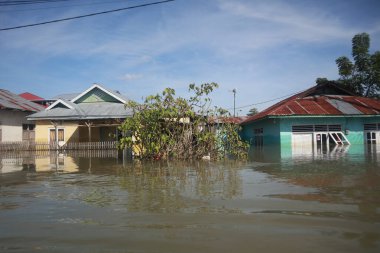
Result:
[14,109]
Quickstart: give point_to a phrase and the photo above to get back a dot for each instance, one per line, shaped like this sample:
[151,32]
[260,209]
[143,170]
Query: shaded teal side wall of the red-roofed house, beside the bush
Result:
[271,131]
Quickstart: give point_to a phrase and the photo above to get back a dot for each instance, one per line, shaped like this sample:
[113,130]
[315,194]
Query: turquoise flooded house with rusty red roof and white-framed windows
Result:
[320,117]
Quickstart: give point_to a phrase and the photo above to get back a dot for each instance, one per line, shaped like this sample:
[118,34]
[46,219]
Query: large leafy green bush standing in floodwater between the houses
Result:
[165,126]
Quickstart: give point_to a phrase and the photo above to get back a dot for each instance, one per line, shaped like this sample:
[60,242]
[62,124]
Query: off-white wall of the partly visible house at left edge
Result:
[11,124]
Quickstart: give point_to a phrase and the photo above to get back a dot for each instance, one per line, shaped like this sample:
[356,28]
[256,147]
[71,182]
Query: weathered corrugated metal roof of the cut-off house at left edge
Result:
[9,100]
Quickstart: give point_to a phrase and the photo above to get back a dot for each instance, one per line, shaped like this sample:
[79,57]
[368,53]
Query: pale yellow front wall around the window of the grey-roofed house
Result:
[70,128]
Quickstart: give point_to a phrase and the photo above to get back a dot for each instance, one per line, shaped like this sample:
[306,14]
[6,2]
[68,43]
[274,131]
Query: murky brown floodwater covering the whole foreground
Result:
[98,202]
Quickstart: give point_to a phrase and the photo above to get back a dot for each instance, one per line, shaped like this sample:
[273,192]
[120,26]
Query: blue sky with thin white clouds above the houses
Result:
[263,49]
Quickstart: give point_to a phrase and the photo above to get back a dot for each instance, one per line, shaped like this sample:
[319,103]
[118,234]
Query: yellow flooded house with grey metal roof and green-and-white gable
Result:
[91,116]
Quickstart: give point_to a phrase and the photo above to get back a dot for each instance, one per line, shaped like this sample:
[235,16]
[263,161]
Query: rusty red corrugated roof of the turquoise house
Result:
[327,99]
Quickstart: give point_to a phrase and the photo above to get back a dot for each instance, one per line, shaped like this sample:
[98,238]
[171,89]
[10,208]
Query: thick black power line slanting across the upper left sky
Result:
[84,16]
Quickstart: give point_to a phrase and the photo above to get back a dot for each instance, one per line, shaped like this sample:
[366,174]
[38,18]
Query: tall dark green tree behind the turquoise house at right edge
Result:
[363,75]
